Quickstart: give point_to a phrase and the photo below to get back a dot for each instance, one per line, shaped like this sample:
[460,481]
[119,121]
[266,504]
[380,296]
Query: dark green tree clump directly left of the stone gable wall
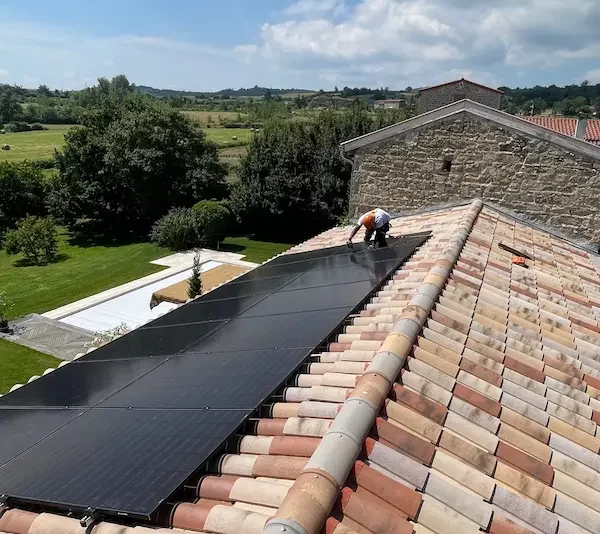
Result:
[293,182]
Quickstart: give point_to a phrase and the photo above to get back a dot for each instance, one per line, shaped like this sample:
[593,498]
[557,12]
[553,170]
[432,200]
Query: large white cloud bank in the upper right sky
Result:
[444,35]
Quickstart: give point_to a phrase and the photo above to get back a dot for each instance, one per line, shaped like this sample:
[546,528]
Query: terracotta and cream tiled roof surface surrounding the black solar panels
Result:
[464,397]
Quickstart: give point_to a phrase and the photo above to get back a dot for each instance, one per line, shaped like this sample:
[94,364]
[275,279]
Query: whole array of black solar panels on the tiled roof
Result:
[122,428]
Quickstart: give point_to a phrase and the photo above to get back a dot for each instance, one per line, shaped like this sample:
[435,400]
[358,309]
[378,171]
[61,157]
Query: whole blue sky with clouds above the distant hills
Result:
[207,45]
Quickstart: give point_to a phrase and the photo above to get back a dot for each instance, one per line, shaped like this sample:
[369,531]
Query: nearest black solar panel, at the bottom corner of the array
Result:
[118,460]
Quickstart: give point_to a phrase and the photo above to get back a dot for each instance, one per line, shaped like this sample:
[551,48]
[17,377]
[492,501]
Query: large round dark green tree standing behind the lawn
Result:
[132,161]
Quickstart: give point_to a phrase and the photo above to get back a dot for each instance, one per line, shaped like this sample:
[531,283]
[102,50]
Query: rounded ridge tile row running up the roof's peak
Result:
[315,491]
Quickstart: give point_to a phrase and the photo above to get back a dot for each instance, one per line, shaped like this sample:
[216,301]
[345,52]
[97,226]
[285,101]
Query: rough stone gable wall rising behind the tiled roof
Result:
[530,176]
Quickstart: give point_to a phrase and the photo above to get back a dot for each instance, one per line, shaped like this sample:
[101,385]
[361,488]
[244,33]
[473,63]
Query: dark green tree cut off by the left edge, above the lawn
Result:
[21,190]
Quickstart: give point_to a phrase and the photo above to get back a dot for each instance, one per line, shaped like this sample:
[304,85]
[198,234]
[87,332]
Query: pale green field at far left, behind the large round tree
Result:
[33,145]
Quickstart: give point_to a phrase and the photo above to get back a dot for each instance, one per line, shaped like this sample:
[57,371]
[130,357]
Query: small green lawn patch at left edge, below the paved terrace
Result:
[20,363]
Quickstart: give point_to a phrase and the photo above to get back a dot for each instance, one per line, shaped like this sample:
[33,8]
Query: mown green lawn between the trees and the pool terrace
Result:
[82,270]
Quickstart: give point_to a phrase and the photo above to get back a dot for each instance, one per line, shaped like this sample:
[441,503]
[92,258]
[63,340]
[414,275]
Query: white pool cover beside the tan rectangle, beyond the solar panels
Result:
[132,308]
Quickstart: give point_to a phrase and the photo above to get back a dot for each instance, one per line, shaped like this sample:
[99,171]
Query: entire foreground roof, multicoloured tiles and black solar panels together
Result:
[462,396]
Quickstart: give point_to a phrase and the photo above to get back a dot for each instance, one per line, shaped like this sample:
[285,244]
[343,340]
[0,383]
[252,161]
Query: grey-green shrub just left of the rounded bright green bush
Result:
[177,230]
